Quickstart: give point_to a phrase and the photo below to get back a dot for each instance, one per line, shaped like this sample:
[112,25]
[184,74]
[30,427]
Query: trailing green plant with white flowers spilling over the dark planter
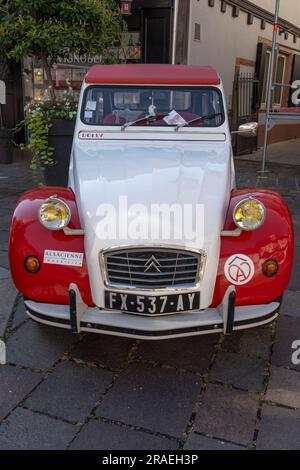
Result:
[39,118]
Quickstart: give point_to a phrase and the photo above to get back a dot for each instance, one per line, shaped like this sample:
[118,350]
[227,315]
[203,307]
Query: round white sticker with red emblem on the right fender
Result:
[239,269]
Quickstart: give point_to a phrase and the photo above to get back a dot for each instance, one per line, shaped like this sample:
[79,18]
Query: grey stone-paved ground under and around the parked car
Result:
[60,391]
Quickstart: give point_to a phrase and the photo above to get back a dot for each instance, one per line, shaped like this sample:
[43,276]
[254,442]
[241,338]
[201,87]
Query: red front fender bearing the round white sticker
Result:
[274,239]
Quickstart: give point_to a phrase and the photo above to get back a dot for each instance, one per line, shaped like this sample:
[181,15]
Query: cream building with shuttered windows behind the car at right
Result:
[235,36]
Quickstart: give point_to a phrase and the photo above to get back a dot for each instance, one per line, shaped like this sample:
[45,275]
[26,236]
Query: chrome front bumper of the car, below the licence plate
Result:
[225,318]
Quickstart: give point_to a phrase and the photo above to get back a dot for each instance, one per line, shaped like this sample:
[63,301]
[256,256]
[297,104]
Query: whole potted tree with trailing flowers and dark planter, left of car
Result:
[49,31]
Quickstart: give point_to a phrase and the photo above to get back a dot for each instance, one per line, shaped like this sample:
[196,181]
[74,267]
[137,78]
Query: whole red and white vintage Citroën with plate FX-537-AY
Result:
[151,135]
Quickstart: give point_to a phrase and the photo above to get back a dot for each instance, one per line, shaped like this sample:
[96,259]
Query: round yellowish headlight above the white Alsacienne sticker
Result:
[54,214]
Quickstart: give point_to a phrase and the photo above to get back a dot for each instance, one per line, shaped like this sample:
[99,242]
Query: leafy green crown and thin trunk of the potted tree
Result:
[53,29]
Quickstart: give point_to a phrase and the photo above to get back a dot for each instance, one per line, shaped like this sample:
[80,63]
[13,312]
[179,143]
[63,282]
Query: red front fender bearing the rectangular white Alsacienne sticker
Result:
[28,237]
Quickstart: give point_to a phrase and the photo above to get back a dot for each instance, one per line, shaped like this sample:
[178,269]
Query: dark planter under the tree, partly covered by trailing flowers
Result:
[60,138]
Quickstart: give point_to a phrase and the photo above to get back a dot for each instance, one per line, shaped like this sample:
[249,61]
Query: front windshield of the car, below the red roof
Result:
[152,106]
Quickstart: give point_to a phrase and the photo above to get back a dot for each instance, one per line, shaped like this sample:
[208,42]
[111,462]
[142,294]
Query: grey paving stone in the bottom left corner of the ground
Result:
[24,430]
